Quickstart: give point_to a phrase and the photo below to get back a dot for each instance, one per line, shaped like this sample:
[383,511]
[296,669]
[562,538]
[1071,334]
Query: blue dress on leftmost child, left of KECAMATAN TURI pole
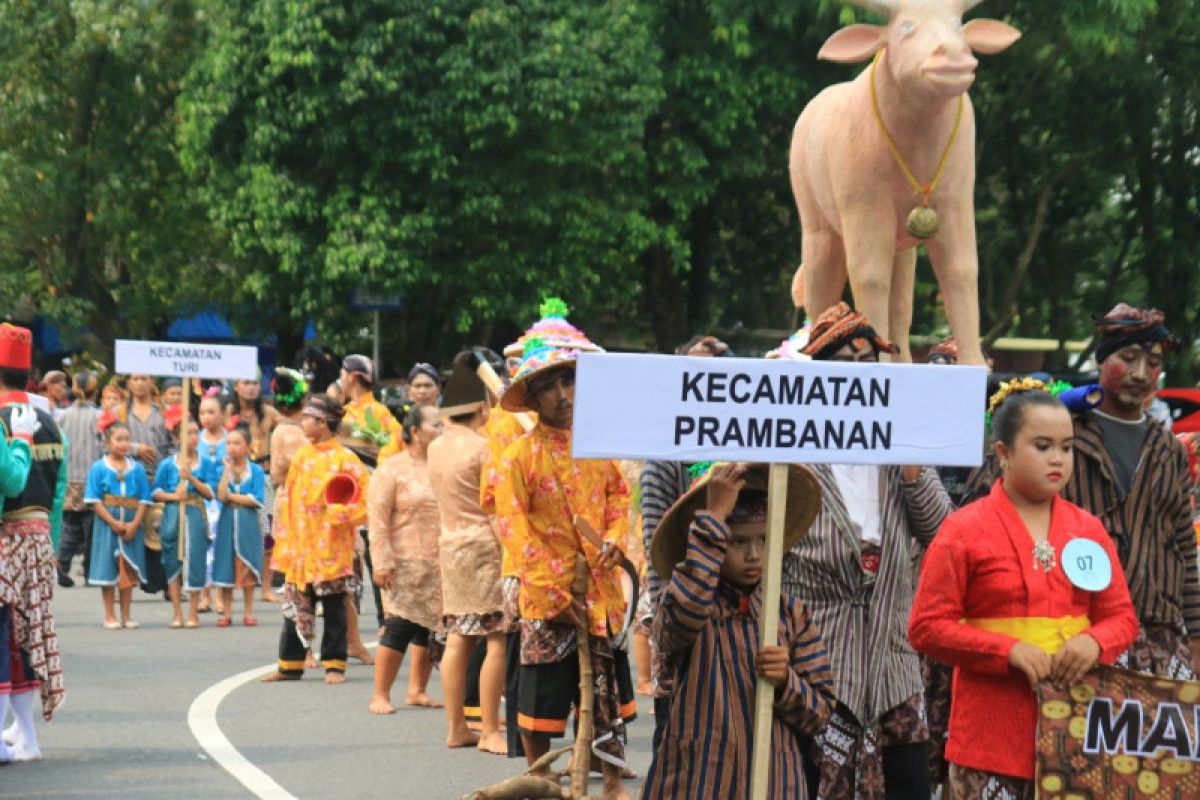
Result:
[106,545]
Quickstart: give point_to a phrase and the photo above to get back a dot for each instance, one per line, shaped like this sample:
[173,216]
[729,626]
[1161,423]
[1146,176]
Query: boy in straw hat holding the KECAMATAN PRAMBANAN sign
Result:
[710,549]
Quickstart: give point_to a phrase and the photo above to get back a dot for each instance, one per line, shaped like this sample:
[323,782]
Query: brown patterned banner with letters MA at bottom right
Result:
[1120,735]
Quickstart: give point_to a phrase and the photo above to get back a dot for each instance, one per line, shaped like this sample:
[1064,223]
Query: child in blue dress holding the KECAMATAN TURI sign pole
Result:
[185,522]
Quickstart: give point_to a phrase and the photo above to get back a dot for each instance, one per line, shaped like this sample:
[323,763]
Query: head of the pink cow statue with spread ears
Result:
[929,50]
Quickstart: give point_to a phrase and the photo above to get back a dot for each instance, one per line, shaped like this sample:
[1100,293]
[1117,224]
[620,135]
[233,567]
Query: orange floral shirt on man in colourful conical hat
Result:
[541,492]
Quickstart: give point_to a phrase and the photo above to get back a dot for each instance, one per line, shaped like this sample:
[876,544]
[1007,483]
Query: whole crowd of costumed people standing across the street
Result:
[466,515]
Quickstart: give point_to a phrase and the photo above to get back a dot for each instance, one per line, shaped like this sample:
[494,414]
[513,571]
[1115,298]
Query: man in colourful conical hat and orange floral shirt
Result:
[547,501]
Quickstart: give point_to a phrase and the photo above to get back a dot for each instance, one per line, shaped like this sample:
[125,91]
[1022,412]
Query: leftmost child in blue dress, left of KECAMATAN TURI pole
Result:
[119,495]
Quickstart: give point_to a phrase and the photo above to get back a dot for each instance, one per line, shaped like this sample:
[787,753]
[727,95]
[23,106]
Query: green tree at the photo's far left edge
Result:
[98,225]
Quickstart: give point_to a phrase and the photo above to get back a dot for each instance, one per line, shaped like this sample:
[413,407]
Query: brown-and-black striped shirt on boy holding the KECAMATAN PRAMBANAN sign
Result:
[709,633]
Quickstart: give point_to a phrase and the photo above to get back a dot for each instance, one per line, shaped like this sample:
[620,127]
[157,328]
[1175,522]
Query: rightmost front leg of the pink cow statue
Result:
[957,266]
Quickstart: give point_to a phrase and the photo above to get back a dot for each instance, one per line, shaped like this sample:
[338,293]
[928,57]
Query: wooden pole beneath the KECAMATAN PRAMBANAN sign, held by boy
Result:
[769,633]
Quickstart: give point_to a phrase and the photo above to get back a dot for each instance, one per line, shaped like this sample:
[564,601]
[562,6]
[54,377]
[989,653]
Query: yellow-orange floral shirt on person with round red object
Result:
[320,543]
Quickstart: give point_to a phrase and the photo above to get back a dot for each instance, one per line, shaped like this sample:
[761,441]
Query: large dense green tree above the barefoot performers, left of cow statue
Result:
[469,155]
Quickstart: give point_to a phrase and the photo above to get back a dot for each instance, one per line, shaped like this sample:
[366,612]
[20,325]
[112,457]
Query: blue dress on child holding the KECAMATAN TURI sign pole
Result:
[196,544]
